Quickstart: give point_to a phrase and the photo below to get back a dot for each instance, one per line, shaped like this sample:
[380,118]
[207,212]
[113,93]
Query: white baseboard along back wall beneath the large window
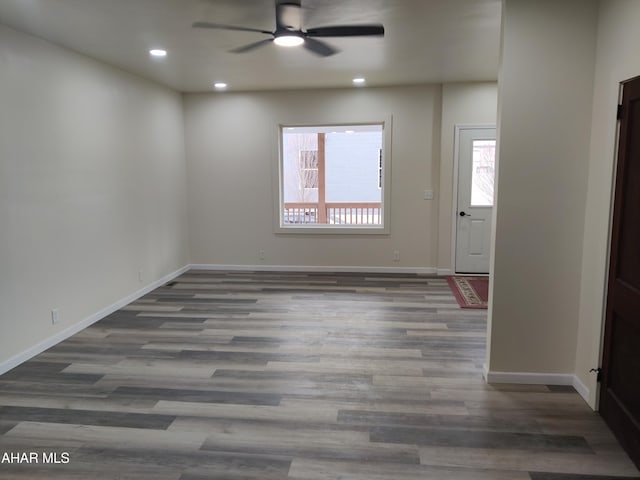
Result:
[315,268]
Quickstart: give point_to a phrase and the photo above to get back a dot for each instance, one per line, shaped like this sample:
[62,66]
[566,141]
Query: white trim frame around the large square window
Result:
[313,229]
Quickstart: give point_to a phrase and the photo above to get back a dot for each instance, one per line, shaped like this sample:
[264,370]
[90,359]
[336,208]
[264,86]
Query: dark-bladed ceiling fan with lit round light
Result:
[289,31]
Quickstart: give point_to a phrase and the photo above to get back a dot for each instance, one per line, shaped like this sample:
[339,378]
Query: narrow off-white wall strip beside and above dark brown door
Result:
[617,60]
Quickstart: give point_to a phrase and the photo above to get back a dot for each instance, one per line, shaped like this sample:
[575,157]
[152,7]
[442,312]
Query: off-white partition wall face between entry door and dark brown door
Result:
[545,99]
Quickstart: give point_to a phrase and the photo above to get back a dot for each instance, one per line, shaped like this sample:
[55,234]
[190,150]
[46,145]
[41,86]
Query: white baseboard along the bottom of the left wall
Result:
[82,324]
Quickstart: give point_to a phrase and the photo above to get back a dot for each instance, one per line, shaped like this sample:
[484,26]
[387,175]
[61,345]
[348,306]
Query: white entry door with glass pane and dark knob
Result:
[476,173]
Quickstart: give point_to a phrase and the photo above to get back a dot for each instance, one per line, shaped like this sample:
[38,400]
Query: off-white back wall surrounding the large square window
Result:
[231,145]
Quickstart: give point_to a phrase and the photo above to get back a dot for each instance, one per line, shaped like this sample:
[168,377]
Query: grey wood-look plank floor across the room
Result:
[236,375]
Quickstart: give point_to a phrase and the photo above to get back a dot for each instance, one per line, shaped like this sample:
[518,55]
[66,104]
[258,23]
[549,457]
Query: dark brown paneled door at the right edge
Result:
[620,388]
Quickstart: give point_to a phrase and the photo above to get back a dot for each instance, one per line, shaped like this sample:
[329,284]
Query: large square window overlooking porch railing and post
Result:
[332,178]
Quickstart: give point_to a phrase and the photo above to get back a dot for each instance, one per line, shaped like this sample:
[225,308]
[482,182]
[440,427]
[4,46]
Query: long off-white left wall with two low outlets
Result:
[92,188]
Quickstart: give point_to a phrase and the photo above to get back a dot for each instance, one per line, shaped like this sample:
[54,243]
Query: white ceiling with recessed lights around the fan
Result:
[425,40]
